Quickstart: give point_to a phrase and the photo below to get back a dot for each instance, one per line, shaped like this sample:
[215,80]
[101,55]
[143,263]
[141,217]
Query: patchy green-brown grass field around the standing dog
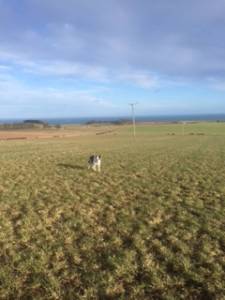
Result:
[151,225]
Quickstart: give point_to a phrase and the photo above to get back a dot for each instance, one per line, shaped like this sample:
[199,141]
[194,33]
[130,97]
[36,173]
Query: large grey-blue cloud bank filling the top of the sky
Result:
[161,37]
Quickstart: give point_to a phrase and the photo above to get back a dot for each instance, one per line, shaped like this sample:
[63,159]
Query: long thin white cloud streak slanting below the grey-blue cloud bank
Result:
[96,73]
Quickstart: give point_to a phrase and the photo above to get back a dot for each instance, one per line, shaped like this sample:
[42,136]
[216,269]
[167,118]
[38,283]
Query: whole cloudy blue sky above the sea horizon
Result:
[84,58]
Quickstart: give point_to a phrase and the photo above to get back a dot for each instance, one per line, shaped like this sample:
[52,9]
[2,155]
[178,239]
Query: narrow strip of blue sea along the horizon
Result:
[165,118]
